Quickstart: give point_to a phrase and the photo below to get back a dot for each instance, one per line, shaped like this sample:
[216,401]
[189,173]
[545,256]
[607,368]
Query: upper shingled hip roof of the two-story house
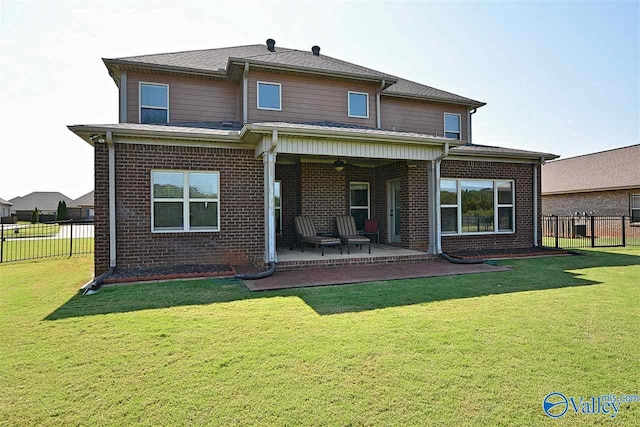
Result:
[218,61]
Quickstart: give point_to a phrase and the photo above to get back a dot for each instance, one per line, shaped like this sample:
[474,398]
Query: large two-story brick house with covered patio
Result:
[218,150]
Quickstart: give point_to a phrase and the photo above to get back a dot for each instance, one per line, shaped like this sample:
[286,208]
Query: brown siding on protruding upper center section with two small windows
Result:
[310,99]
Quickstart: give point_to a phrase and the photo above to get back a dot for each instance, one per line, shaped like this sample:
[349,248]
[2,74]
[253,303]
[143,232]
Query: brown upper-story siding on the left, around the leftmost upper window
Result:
[191,99]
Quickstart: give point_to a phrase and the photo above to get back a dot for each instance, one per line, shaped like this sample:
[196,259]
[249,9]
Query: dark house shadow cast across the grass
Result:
[528,275]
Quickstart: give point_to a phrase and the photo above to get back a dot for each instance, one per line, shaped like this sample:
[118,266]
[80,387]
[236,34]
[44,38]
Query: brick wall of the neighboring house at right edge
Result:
[602,203]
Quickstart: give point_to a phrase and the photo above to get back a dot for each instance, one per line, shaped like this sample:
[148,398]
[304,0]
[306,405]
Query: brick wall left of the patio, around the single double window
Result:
[241,207]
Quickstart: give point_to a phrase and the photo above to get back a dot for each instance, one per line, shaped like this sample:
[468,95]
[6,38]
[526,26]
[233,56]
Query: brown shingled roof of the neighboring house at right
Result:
[606,170]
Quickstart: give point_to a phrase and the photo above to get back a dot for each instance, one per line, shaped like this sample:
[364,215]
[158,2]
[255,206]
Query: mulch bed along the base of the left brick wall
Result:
[146,274]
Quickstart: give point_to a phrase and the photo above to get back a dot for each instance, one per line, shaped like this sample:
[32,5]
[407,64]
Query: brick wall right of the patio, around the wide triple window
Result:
[522,174]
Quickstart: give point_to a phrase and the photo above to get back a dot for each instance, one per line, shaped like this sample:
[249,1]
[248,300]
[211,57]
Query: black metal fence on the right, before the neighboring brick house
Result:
[576,232]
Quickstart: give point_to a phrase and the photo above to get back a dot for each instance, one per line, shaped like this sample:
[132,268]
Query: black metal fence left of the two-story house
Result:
[19,242]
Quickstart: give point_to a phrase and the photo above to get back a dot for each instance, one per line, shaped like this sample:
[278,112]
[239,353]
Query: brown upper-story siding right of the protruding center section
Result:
[411,115]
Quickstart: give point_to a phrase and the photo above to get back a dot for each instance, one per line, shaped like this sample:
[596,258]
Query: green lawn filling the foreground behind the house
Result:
[479,349]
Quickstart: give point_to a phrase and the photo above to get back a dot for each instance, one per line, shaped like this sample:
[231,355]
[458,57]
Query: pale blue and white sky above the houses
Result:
[560,77]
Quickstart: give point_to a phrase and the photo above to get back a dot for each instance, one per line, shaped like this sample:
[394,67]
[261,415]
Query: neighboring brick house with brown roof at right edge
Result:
[605,183]
